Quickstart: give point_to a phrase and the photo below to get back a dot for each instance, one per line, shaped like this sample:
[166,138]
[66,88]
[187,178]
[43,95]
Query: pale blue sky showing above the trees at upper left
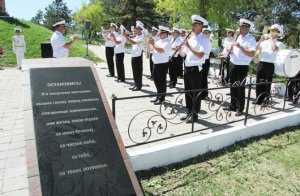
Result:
[26,9]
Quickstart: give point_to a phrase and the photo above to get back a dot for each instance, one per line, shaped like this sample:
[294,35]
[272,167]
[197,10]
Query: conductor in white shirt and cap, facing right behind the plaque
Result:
[60,47]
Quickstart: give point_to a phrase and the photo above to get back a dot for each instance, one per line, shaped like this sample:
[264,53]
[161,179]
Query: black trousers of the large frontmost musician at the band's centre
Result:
[192,81]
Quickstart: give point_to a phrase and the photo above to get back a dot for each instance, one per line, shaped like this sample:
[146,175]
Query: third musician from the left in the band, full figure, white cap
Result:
[137,41]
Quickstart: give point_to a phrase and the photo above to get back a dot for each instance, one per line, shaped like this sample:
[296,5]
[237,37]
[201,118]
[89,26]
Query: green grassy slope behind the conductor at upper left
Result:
[34,36]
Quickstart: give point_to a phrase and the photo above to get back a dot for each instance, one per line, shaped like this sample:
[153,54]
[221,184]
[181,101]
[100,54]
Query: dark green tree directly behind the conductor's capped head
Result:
[58,9]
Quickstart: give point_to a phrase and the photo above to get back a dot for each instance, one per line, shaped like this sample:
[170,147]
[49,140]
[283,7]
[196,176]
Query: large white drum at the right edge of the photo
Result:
[287,63]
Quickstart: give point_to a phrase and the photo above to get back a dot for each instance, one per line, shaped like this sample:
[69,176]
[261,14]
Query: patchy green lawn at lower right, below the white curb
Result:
[266,166]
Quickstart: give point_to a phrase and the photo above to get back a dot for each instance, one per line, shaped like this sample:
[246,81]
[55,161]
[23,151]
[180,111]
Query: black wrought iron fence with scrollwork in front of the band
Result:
[158,123]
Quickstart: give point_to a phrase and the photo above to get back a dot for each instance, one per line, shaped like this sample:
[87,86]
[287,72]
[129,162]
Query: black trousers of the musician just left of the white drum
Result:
[264,73]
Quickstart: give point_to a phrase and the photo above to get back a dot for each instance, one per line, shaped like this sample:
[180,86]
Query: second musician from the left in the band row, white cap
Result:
[119,41]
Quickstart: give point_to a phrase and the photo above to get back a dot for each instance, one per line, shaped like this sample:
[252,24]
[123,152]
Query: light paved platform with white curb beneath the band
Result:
[213,136]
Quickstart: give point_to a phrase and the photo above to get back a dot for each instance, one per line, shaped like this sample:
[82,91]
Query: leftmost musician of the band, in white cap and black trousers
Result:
[109,48]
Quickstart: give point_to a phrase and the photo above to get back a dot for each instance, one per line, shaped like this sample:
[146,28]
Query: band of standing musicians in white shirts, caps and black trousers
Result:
[171,50]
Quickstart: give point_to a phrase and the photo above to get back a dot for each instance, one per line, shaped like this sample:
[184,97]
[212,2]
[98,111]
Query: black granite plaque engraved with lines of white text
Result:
[78,154]
